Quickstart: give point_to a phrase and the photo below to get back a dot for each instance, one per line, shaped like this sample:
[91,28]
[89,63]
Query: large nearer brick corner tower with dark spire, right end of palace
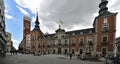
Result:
[105,28]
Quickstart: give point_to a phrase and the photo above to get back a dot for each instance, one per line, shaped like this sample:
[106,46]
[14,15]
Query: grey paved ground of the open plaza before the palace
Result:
[43,59]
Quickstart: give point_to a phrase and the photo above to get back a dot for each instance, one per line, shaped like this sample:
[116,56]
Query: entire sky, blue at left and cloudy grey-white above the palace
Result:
[75,14]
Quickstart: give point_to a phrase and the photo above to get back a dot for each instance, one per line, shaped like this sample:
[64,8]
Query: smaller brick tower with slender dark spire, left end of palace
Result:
[36,33]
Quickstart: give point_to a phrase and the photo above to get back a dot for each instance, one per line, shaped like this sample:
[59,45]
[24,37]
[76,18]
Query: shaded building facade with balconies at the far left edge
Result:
[3,42]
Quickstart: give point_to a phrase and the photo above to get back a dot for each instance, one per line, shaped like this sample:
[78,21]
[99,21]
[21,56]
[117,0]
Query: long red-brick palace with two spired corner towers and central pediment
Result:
[97,40]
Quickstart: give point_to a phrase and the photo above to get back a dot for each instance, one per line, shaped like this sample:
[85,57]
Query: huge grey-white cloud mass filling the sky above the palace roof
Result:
[76,14]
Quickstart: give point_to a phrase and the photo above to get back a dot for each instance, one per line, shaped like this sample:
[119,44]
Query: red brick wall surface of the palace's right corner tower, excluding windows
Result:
[110,33]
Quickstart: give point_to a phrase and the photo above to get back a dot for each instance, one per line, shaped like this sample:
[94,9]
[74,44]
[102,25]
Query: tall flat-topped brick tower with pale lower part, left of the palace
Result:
[24,45]
